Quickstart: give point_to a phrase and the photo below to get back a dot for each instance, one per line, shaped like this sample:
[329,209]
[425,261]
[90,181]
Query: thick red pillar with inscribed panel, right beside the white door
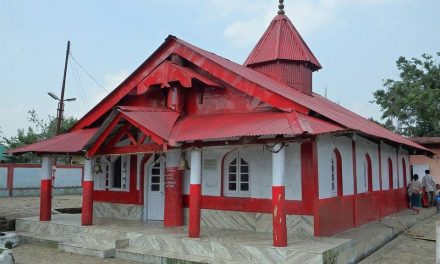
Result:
[173,211]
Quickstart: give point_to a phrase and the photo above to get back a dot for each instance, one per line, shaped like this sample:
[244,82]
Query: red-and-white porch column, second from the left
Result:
[87,204]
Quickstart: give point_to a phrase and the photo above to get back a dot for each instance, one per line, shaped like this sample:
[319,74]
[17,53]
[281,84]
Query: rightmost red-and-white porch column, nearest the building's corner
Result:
[278,196]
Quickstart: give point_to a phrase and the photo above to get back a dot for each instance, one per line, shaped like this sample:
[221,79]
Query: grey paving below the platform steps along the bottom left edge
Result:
[33,254]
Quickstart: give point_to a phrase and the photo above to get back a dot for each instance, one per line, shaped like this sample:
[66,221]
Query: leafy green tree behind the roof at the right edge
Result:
[411,105]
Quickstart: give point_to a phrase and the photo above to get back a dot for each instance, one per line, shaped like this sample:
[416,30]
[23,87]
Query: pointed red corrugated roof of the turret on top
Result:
[281,41]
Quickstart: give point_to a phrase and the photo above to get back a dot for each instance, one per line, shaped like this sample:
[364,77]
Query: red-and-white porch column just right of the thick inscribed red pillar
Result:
[195,193]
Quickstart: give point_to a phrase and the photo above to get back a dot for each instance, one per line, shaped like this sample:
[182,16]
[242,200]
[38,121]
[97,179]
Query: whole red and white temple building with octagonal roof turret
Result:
[193,139]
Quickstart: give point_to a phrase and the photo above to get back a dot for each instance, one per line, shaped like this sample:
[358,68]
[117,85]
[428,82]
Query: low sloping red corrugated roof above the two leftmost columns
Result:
[72,142]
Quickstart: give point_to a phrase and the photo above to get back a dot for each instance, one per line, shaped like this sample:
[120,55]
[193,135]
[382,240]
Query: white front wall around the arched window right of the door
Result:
[260,161]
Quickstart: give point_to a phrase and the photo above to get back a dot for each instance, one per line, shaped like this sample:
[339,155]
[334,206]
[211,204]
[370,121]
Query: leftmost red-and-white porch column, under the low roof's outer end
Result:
[46,188]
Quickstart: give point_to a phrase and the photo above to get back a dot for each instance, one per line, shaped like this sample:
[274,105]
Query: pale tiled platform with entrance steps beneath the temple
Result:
[150,243]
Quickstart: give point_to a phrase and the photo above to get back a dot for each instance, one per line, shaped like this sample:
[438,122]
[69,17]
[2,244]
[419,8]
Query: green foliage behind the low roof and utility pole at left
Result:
[40,129]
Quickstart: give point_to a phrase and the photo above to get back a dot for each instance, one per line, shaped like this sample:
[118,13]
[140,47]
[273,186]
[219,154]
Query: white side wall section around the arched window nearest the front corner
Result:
[325,145]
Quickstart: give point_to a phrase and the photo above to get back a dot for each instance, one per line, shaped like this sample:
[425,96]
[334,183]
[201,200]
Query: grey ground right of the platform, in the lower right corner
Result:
[405,249]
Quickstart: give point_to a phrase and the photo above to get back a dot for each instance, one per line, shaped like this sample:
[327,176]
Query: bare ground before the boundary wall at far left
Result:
[16,207]
